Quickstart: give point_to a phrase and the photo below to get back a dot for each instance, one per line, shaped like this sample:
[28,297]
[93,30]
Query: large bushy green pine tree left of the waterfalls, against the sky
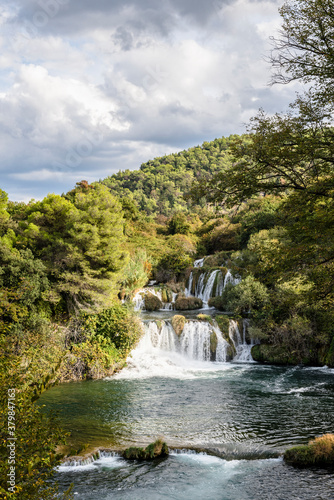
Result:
[79,239]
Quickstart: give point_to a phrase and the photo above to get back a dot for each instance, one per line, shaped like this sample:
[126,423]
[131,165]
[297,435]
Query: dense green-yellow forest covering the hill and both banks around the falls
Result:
[261,203]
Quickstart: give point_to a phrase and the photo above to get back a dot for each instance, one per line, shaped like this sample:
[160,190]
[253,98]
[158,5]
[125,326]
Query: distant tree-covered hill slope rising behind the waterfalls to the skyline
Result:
[161,185]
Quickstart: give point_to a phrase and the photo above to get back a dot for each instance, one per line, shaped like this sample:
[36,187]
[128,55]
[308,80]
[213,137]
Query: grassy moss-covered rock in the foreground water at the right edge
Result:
[318,452]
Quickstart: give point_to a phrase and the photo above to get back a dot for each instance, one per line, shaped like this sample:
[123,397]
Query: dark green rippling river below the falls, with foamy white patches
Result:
[226,423]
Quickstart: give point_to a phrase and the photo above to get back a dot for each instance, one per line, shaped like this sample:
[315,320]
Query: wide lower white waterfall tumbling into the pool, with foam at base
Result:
[162,353]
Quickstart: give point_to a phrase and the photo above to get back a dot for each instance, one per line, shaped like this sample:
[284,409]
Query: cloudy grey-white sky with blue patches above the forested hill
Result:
[91,87]
